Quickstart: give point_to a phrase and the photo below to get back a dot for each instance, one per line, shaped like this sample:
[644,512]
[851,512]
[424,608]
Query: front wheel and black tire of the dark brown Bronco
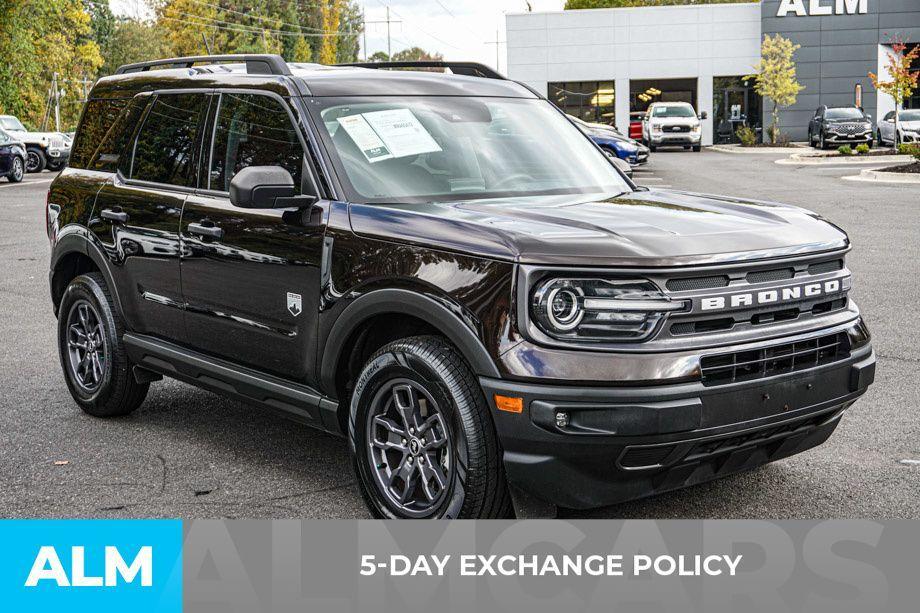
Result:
[421,436]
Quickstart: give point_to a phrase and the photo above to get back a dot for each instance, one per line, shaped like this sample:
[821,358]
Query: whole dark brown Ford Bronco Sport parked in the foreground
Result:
[443,269]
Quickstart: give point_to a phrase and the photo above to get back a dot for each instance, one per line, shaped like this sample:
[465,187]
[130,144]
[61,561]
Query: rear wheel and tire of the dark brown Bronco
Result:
[93,357]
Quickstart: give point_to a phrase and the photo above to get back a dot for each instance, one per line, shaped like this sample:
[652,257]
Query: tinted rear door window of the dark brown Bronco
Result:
[165,147]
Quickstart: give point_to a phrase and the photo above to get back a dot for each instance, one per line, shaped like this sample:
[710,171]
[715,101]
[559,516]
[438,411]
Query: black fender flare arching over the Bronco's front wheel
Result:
[404,302]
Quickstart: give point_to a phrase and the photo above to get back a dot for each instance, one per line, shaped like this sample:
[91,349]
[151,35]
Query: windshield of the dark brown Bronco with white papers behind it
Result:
[424,149]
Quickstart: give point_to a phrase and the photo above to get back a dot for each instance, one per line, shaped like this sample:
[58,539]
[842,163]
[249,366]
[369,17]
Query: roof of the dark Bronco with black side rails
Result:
[310,80]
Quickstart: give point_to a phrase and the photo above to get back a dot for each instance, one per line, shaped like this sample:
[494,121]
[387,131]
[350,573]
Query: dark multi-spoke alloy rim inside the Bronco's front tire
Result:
[409,447]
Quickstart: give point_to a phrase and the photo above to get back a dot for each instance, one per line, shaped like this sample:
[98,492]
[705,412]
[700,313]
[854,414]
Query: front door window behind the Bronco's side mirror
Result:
[253,130]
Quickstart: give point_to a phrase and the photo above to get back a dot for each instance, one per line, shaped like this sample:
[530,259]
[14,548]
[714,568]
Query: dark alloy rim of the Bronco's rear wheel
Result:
[86,346]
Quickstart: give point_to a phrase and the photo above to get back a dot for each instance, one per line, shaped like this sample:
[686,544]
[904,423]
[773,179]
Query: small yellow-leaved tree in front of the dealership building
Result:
[775,77]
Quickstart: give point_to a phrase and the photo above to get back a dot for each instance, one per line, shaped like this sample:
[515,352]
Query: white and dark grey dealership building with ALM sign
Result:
[603,64]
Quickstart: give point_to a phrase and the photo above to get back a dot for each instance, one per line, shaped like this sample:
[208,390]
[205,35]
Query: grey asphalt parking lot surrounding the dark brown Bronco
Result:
[187,453]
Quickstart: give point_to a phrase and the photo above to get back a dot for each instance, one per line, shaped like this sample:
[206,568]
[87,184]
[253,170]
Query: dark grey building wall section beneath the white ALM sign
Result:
[838,51]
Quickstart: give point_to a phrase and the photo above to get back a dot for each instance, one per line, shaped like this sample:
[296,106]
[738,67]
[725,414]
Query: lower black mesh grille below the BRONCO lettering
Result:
[776,360]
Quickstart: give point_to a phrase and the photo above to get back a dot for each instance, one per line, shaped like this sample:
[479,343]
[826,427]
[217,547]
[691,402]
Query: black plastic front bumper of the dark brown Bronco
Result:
[622,443]
